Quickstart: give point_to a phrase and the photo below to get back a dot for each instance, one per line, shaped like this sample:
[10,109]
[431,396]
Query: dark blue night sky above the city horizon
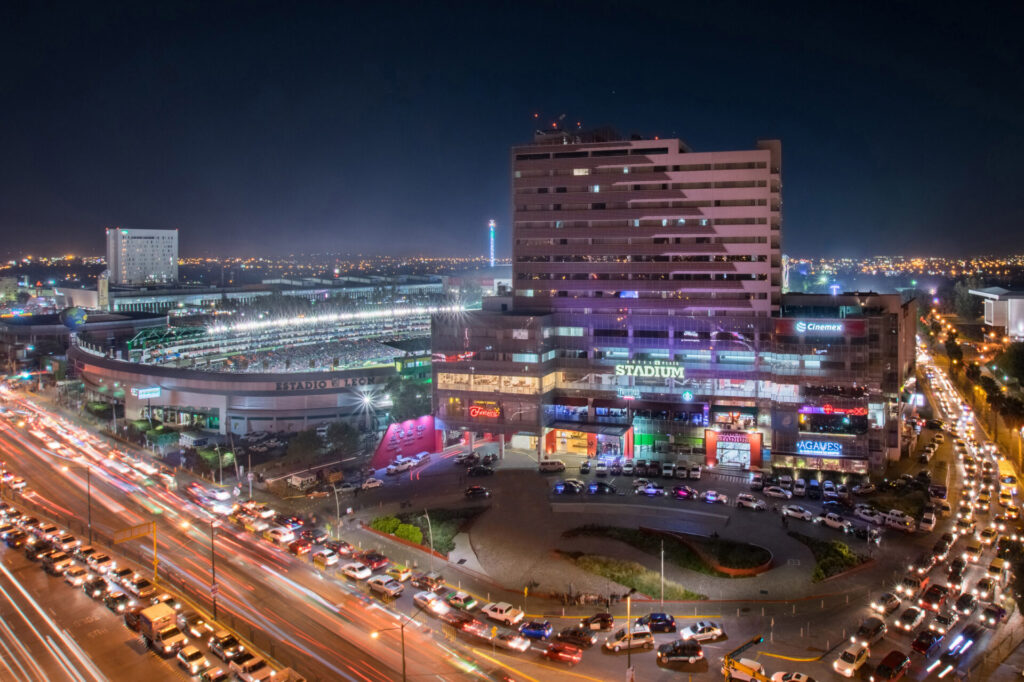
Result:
[383,127]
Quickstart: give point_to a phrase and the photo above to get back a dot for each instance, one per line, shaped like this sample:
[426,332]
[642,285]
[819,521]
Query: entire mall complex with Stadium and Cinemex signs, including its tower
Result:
[648,321]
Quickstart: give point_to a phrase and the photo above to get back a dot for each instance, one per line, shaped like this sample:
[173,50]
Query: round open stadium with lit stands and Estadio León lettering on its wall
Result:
[277,374]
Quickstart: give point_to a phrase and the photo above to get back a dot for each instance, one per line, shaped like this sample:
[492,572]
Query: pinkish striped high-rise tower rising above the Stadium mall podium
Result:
[647,227]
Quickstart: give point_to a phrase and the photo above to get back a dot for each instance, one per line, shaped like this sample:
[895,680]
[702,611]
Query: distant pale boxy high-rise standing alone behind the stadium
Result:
[142,257]
